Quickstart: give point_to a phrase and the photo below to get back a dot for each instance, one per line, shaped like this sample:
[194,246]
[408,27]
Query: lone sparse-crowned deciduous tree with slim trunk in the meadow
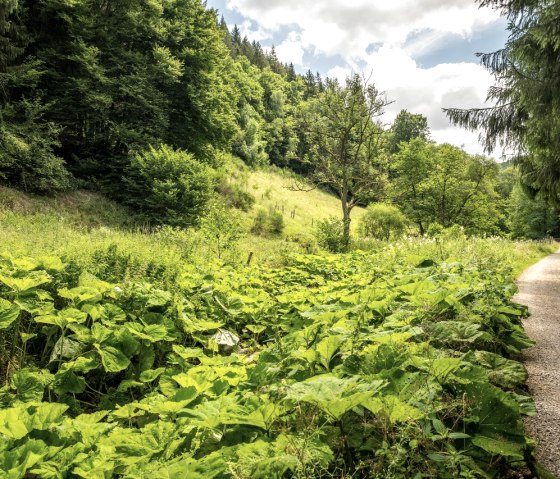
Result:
[348,154]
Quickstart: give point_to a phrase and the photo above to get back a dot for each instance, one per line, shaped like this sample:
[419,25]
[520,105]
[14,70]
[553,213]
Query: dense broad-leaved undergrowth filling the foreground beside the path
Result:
[399,363]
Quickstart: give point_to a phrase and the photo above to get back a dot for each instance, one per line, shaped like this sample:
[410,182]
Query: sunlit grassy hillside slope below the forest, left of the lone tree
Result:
[81,223]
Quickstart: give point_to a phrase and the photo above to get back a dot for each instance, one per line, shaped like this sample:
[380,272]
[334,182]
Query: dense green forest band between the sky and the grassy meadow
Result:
[146,102]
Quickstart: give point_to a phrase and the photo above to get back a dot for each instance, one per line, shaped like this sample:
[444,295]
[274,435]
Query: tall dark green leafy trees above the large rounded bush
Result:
[111,79]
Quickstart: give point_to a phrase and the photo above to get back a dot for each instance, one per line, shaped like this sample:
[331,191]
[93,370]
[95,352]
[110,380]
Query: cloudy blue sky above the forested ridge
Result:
[421,53]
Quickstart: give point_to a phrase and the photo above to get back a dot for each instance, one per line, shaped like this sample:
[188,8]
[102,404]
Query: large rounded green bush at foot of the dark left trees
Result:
[168,186]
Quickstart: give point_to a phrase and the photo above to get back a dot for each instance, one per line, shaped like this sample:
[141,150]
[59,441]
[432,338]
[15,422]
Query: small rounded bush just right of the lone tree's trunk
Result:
[382,221]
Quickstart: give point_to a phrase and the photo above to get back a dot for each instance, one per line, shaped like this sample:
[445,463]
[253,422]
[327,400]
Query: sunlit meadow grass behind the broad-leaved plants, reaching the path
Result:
[83,225]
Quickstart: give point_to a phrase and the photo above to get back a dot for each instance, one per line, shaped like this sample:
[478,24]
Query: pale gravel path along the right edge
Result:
[539,289]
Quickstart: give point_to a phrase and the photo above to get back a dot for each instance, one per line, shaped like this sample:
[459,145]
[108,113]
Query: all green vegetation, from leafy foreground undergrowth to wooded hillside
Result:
[167,307]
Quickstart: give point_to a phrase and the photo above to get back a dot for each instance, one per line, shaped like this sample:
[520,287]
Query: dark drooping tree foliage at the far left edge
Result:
[27,142]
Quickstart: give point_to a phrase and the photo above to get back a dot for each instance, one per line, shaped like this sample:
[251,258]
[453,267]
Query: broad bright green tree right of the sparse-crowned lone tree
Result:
[443,184]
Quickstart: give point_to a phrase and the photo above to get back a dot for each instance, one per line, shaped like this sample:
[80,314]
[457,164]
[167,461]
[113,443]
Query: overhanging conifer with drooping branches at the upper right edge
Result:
[526,94]
